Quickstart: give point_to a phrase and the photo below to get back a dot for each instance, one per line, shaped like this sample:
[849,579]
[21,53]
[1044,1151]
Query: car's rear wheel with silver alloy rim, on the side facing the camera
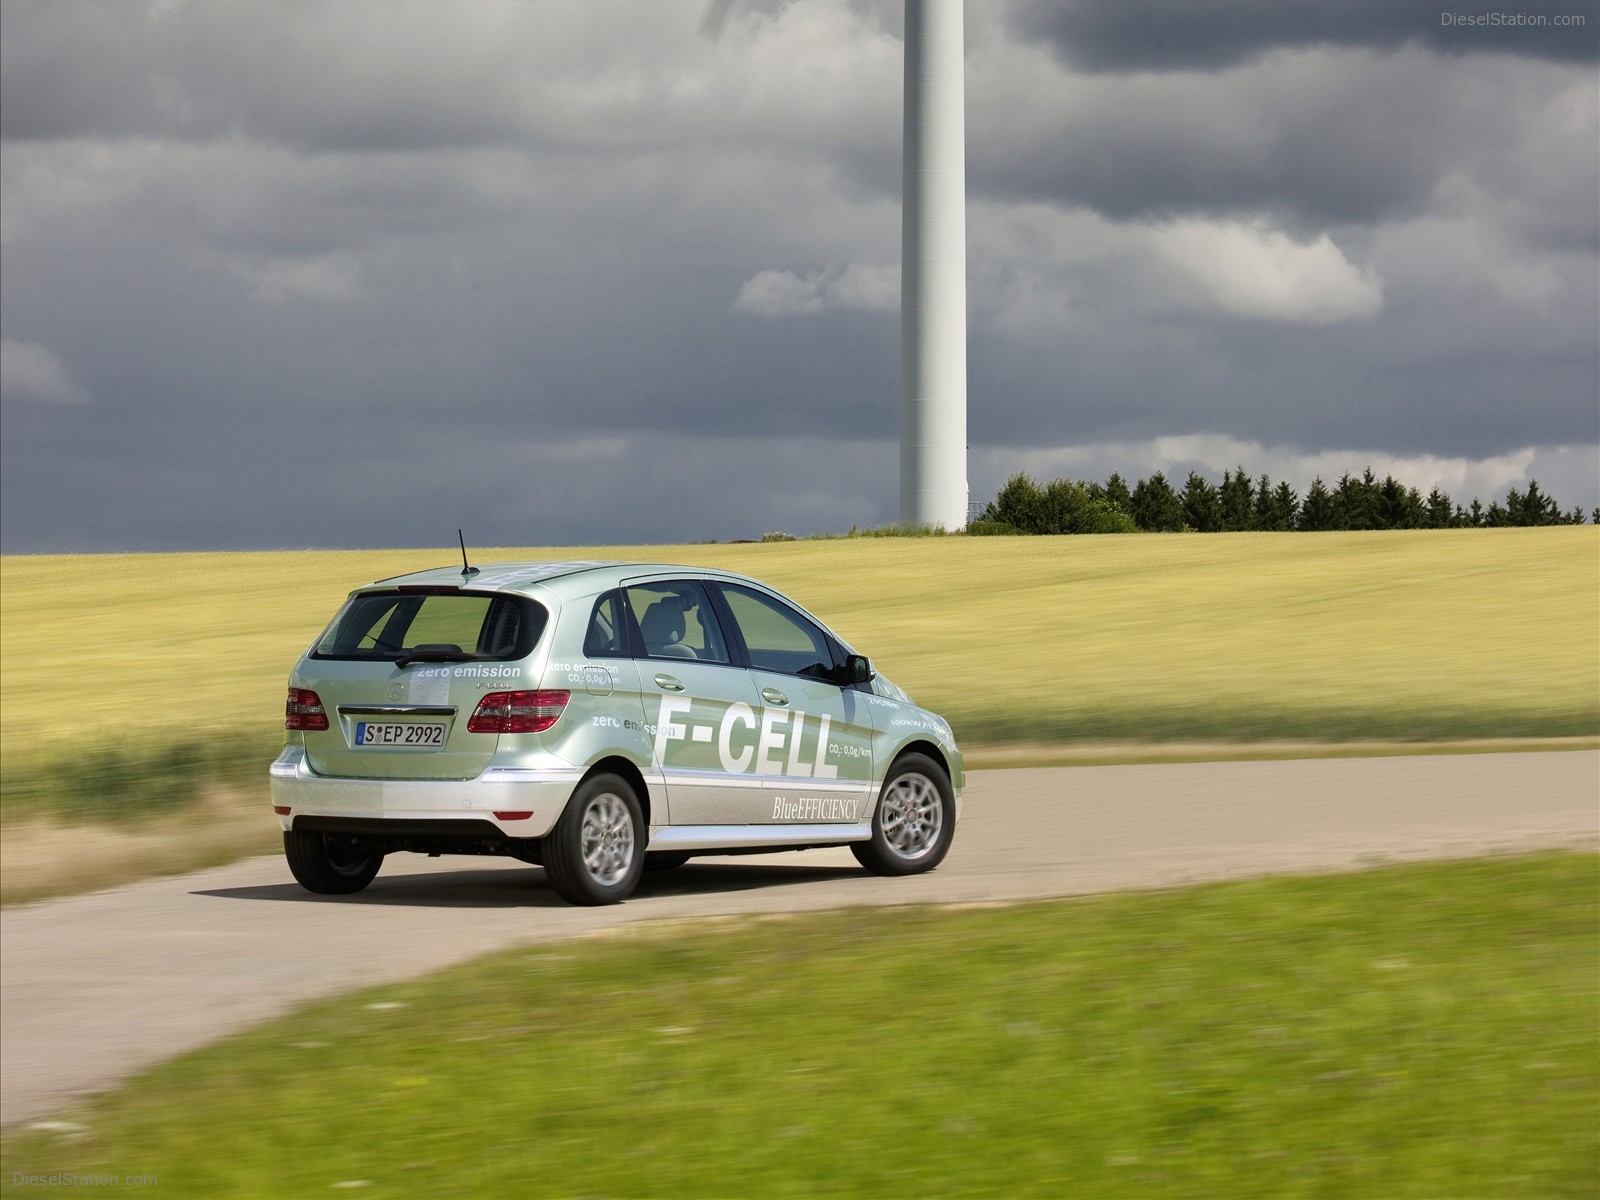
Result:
[596,854]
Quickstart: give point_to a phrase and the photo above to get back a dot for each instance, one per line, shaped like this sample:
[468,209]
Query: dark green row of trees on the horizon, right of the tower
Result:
[1241,503]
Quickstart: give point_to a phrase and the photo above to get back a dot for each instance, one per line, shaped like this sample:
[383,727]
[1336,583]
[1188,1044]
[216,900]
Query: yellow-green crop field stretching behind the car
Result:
[1223,638]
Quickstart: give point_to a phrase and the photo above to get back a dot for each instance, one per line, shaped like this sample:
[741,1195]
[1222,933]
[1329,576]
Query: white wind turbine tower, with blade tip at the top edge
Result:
[934,263]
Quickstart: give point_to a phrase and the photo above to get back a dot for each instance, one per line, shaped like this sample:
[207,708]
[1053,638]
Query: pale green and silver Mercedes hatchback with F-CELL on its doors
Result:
[599,721]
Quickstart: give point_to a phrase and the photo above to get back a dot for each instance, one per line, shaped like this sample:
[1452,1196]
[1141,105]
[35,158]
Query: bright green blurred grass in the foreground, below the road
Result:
[1418,1031]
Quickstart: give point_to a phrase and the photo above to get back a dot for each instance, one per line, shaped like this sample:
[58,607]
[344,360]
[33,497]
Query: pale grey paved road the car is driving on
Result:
[97,988]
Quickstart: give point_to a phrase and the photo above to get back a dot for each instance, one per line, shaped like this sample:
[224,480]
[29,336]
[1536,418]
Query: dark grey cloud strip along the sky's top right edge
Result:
[1122,36]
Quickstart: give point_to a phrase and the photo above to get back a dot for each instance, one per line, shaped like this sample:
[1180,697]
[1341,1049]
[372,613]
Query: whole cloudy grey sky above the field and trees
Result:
[354,274]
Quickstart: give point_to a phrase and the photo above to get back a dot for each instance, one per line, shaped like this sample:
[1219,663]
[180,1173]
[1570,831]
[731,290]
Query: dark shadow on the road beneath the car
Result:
[524,887]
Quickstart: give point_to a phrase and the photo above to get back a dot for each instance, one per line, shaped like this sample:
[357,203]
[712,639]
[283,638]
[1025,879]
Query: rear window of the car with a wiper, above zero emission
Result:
[478,626]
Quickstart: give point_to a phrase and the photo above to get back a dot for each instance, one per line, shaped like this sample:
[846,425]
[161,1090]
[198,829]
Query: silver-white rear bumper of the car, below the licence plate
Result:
[542,793]
